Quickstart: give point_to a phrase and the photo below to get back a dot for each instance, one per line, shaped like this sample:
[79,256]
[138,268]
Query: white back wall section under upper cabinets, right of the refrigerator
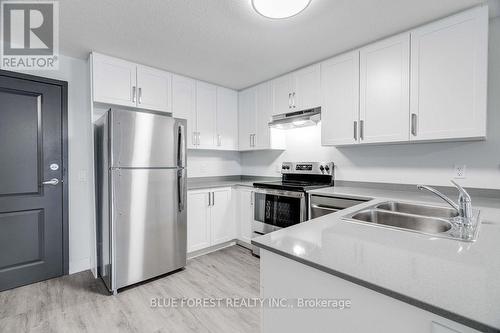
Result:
[209,163]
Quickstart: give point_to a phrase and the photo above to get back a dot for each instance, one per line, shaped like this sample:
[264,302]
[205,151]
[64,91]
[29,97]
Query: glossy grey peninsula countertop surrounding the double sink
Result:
[457,280]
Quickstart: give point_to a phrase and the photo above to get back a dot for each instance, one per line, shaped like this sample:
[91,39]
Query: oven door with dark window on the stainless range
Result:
[277,209]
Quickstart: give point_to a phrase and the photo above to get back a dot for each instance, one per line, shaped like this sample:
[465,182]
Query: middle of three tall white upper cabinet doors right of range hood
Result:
[384,90]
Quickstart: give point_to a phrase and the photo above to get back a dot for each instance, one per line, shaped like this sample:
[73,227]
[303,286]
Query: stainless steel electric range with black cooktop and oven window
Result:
[284,203]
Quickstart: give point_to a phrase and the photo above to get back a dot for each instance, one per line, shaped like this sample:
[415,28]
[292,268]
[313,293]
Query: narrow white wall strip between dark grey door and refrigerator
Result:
[76,73]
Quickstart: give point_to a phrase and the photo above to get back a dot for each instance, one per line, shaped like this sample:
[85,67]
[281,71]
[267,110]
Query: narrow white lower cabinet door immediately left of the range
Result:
[244,213]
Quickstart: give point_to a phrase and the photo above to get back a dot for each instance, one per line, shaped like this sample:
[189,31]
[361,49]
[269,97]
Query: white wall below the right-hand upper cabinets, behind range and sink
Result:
[430,163]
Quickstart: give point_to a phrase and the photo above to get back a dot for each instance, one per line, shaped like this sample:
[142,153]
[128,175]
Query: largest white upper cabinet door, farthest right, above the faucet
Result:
[449,77]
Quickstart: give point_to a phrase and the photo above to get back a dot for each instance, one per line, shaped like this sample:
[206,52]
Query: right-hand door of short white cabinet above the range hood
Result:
[306,88]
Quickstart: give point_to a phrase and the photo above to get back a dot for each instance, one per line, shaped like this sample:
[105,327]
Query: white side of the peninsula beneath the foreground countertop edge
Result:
[370,311]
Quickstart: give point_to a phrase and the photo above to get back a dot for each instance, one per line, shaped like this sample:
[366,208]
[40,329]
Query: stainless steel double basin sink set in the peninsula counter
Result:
[421,218]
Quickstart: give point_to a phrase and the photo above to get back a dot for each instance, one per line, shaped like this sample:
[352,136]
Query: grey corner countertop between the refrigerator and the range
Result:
[198,183]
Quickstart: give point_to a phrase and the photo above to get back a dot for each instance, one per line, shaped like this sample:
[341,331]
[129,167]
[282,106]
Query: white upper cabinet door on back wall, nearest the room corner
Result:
[227,119]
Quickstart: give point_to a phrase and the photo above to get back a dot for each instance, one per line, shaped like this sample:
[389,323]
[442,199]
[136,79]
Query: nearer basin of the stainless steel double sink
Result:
[404,221]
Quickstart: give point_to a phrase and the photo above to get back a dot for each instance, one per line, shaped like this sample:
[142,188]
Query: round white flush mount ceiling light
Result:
[279,9]
